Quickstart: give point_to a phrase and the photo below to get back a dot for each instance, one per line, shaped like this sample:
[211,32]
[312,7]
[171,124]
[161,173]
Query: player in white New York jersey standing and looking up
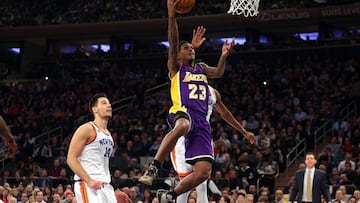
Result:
[88,157]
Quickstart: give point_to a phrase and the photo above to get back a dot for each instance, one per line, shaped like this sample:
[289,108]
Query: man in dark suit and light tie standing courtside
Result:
[310,183]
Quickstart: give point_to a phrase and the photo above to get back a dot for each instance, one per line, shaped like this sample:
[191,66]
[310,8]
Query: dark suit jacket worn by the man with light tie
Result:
[319,188]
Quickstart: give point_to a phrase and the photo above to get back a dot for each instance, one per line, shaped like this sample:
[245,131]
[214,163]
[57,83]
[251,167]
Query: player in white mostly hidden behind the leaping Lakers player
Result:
[178,154]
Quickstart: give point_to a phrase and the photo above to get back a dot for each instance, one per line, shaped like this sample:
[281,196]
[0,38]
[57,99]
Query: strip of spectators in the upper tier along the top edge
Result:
[22,12]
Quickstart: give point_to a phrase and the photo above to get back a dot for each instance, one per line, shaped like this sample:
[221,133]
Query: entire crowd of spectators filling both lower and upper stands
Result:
[281,99]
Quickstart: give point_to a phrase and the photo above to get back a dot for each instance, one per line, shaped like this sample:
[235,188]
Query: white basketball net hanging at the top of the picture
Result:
[244,7]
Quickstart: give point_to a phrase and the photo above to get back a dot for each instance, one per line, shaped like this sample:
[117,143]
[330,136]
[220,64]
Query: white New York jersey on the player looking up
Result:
[95,156]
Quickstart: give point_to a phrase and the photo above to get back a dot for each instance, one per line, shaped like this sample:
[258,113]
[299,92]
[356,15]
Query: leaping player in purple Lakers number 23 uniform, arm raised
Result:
[189,95]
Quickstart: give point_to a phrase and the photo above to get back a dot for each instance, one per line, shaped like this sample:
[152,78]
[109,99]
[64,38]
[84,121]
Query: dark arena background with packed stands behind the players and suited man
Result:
[292,79]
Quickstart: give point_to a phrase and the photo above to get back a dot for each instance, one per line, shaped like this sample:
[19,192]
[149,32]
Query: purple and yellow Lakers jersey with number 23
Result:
[189,90]
